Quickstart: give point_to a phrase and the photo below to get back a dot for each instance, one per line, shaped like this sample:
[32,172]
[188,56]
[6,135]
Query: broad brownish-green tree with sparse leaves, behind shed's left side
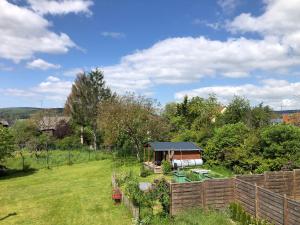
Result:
[134,117]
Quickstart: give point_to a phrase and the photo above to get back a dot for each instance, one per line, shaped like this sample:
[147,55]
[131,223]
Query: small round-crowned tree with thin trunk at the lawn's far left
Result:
[23,131]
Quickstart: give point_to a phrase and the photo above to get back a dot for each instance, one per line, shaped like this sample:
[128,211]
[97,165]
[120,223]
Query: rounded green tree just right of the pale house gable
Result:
[238,110]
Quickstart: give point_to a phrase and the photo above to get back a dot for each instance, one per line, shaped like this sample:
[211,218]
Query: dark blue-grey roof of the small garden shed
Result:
[177,146]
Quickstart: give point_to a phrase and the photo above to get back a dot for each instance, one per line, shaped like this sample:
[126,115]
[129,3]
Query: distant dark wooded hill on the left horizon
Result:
[14,113]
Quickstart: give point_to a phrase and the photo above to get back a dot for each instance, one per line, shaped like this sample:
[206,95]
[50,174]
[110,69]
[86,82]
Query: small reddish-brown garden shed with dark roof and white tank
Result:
[180,154]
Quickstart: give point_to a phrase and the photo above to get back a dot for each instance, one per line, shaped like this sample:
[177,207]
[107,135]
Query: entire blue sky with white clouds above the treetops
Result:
[163,49]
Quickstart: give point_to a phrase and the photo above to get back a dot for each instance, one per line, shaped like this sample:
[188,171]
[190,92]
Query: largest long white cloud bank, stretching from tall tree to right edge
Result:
[186,60]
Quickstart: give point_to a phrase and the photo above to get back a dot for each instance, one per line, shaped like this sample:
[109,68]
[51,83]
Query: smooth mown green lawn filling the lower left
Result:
[77,194]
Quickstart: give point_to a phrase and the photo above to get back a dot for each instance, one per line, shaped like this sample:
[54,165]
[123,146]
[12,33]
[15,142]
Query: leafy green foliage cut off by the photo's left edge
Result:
[6,143]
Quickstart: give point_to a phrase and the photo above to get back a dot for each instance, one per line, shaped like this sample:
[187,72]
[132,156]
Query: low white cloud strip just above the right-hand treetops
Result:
[276,93]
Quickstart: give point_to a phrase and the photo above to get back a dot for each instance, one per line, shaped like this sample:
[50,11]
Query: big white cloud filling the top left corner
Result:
[24,33]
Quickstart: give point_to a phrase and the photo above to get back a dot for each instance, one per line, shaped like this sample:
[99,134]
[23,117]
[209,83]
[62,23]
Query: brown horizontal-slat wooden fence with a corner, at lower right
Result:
[267,196]
